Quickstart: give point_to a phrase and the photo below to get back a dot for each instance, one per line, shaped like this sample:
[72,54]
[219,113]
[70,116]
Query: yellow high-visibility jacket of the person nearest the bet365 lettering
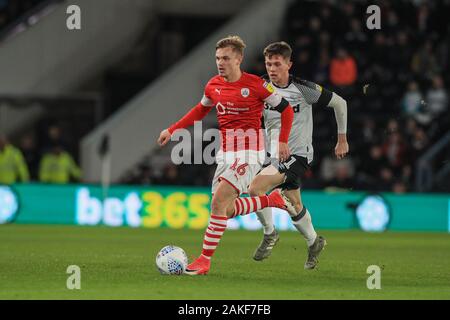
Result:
[58,166]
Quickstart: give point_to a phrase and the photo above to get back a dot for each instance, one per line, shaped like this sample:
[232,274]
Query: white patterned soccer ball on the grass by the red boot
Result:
[171,260]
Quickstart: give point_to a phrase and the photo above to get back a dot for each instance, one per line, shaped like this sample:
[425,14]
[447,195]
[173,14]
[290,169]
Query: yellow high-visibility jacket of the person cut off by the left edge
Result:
[12,164]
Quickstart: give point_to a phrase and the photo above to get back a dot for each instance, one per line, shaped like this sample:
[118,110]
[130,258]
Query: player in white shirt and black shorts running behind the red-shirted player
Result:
[303,96]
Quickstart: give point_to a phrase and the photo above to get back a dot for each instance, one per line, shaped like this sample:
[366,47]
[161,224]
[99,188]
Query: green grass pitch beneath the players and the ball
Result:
[119,263]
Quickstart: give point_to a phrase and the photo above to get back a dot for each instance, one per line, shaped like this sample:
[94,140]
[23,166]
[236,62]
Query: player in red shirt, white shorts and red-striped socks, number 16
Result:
[239,99]
